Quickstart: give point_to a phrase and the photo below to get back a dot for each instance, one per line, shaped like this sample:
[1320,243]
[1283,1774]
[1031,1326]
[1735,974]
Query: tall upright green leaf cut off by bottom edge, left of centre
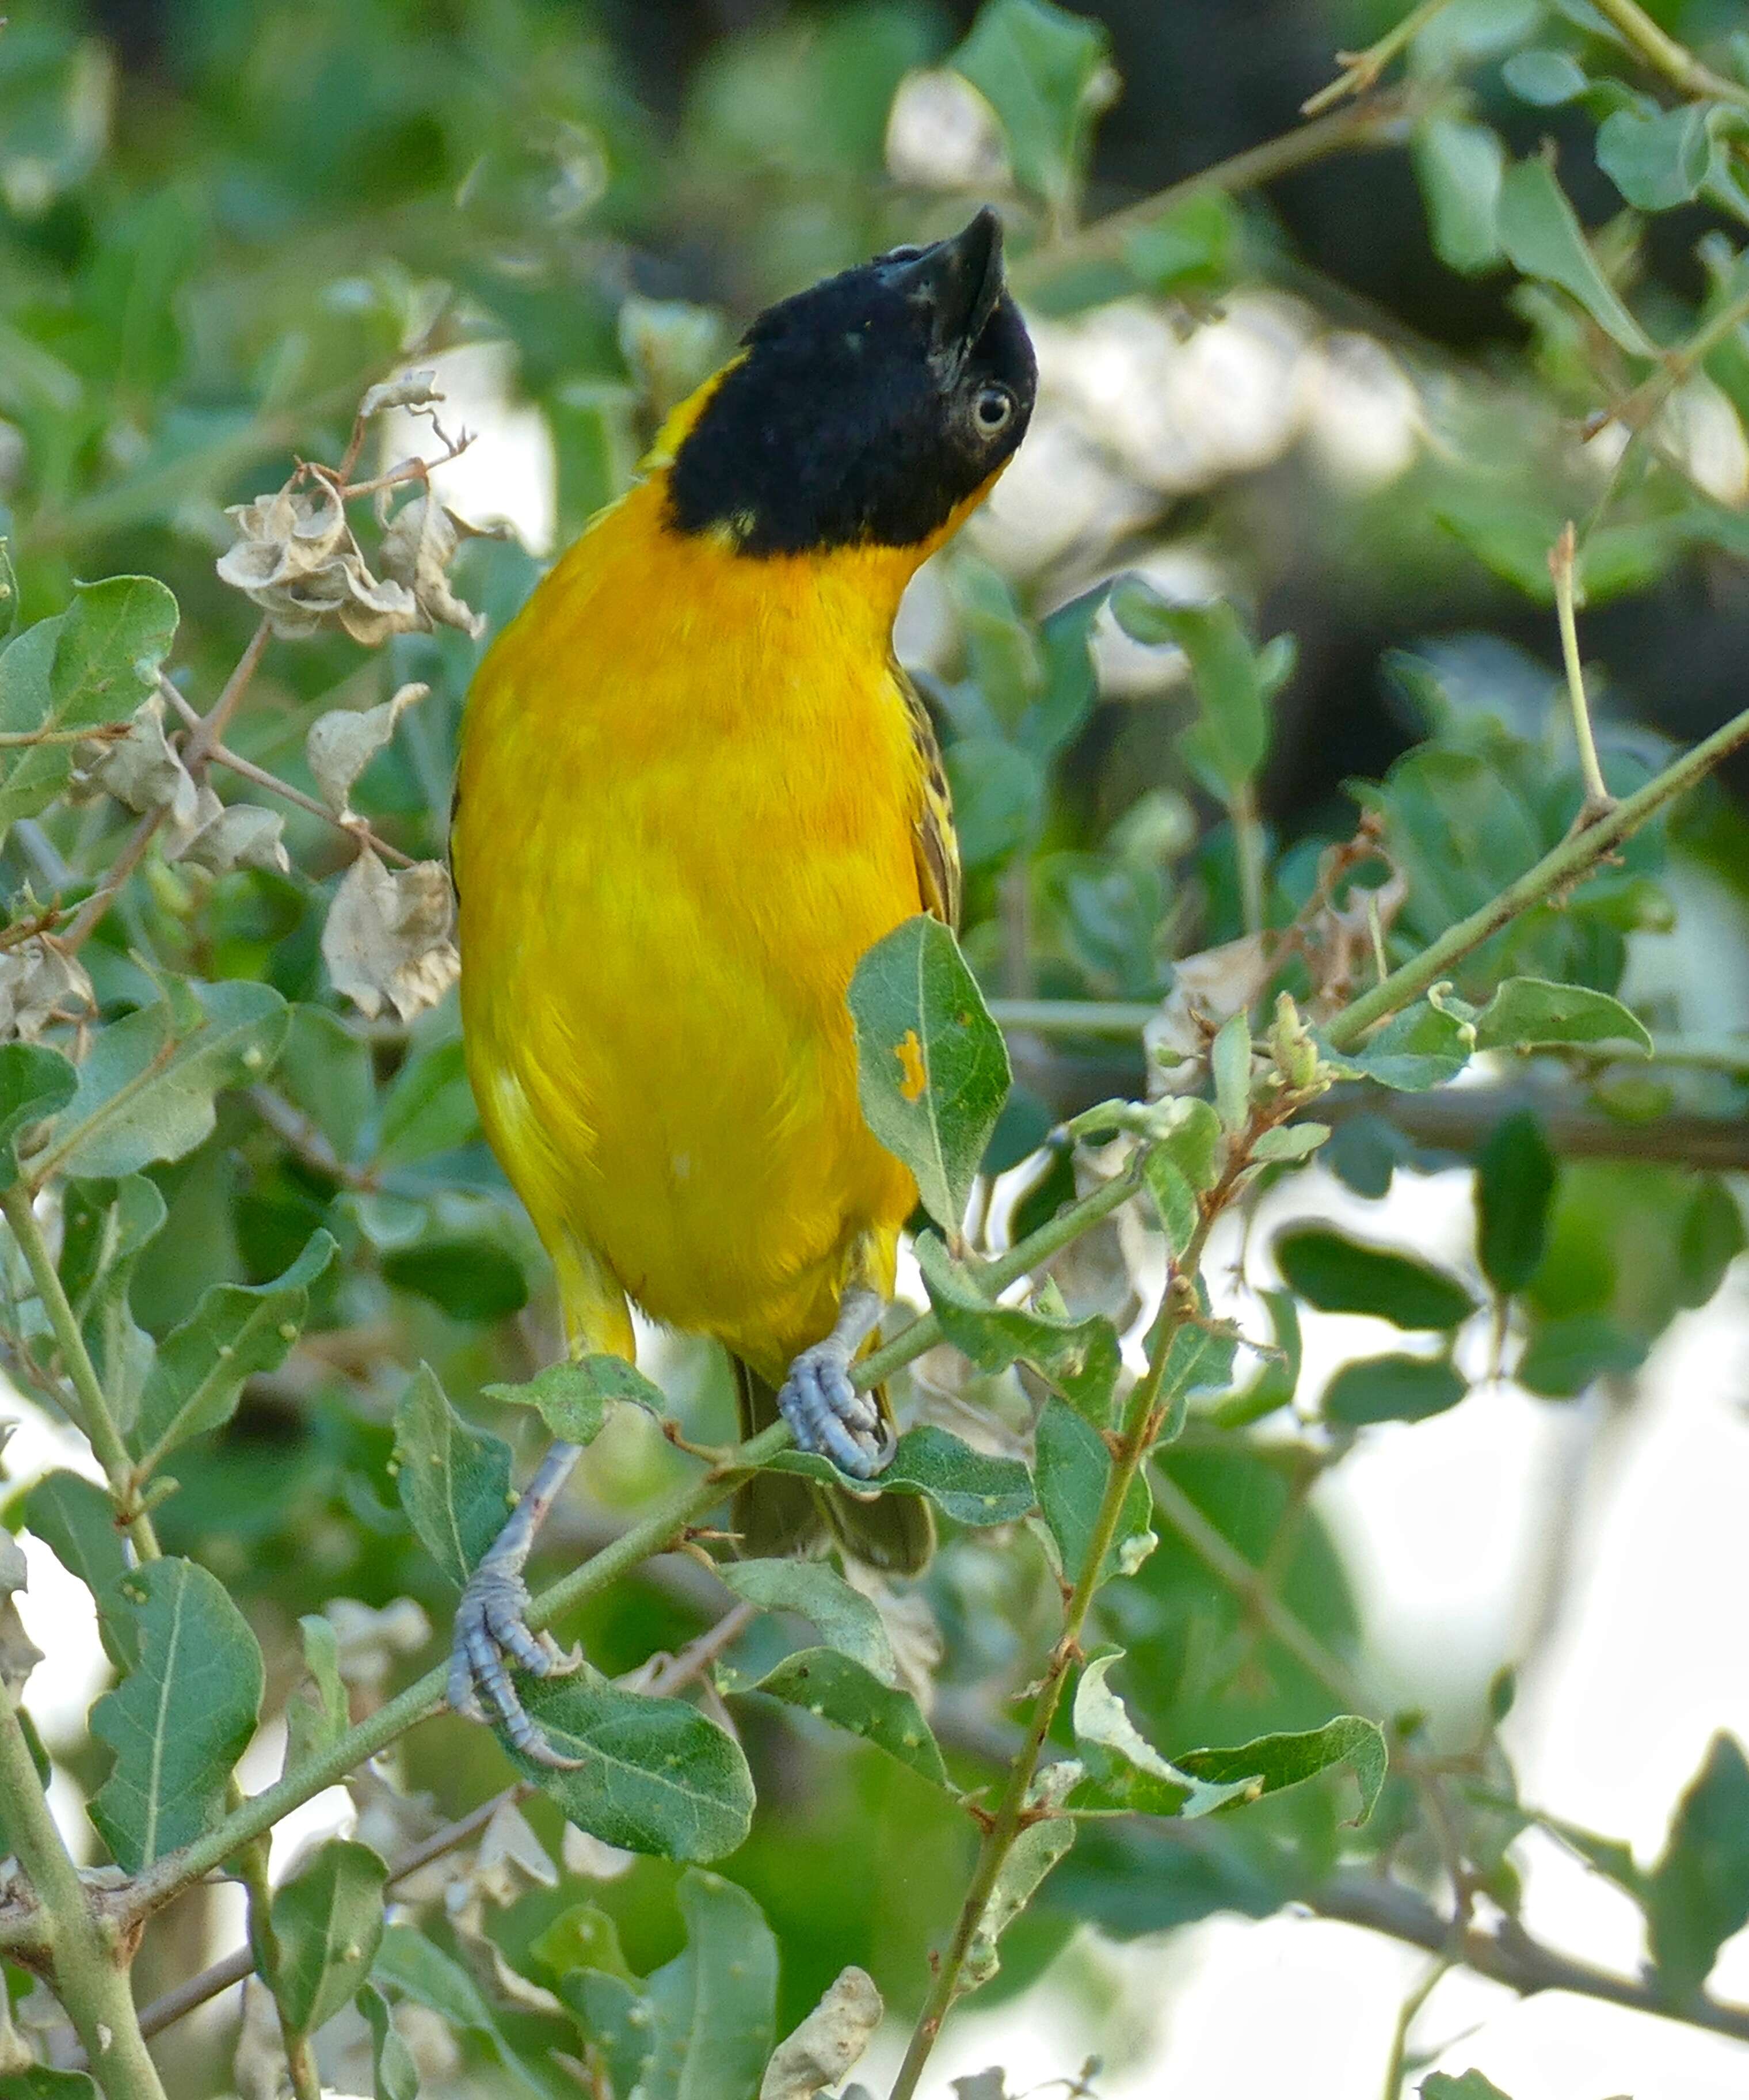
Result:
[715,2007]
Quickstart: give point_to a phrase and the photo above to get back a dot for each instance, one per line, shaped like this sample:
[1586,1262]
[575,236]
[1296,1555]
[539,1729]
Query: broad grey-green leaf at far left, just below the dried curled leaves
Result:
[146,1091]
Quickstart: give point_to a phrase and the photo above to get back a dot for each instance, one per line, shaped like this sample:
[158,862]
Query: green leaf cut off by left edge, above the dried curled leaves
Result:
[91,665]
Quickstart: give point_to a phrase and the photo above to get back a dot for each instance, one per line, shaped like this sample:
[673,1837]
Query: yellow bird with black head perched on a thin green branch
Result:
[696,789]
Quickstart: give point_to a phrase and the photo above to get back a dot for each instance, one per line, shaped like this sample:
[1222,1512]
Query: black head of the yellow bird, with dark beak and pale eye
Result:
[864,411]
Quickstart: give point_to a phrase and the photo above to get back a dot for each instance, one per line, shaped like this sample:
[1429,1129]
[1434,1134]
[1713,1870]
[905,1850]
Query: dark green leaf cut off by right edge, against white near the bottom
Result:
[1700,1889]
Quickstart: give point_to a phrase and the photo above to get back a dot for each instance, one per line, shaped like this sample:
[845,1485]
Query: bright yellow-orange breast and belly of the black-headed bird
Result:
[686,812]
